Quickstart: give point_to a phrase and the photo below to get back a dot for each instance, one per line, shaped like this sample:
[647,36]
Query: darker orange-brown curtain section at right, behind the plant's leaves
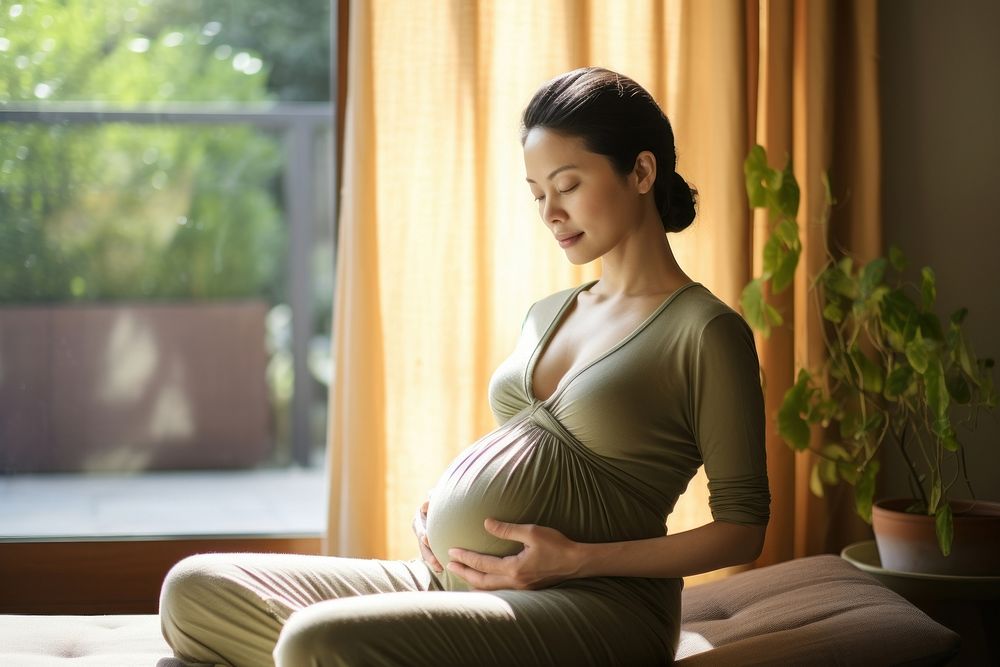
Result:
[816,101]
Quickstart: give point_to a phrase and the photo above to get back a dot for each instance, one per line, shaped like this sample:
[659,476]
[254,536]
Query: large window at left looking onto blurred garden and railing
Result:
[166,255]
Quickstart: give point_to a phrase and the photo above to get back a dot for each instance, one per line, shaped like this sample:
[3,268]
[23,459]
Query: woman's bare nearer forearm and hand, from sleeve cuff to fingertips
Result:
[549,556]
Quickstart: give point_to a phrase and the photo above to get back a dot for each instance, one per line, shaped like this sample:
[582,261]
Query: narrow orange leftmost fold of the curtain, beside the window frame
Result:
[357,501]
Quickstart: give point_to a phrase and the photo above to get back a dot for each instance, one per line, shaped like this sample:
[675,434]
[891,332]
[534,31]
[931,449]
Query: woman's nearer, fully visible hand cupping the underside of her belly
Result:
[548,557]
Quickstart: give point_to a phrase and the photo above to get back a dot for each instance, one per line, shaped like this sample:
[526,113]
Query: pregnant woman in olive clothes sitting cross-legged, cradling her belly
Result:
[544,542]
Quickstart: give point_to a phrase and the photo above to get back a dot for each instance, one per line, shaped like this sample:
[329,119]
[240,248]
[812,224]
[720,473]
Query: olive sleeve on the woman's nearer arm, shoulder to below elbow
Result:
[727,412]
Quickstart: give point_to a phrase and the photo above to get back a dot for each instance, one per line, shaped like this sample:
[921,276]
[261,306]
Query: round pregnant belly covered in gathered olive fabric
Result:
[522,473]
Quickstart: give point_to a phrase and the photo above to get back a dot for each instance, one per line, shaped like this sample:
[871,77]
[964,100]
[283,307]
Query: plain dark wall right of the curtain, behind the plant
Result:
[940,95]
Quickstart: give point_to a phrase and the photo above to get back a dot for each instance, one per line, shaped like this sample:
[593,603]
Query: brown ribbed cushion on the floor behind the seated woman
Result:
[810,611]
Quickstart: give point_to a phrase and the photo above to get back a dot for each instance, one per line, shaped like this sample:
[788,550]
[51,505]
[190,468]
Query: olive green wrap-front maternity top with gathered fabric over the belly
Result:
[606,456]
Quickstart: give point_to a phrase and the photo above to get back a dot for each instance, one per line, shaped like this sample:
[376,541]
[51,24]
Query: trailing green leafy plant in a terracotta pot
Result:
[894,373]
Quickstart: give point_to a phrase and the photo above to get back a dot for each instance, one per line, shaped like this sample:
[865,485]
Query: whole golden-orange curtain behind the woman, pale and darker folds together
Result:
[441,250]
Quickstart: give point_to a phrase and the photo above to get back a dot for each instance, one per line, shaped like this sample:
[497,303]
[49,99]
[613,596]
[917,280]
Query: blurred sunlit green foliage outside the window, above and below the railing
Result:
[120,211]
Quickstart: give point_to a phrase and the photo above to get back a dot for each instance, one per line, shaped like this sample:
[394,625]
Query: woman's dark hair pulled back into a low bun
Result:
[617,118]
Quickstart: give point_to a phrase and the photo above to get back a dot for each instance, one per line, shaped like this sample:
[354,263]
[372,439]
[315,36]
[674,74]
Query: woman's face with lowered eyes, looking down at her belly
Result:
[585,203]
